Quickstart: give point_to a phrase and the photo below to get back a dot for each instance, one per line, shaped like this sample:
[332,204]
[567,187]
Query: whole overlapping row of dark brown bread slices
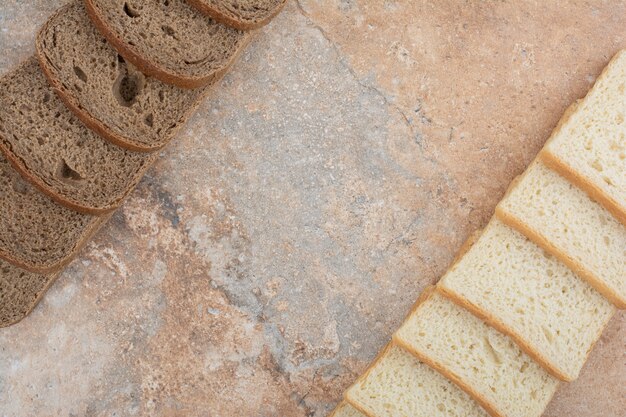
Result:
[112,82]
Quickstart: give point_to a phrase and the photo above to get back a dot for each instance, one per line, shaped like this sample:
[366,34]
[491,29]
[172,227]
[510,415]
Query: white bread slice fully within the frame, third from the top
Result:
[508,281]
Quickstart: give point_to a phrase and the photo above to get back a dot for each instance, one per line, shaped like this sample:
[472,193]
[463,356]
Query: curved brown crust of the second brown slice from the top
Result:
[149,68]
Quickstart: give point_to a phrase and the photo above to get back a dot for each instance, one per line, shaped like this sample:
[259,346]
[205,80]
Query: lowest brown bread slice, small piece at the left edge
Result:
[20,291]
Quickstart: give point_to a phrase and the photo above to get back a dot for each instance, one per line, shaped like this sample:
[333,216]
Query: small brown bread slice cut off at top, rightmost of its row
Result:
[240,14]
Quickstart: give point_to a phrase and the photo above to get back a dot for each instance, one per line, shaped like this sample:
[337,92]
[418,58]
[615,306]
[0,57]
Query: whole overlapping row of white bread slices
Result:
[528,297]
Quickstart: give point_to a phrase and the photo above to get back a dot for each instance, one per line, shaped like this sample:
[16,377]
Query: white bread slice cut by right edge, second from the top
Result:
[568,224]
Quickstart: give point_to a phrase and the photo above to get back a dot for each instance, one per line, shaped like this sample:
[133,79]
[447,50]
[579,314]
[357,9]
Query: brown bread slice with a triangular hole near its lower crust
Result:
[53,150]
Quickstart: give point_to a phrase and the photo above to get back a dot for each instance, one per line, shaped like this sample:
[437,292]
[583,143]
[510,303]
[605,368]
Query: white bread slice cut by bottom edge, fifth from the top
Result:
[398,385]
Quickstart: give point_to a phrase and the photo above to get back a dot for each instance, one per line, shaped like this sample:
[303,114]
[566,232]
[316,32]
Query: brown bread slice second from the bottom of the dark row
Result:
[36,233]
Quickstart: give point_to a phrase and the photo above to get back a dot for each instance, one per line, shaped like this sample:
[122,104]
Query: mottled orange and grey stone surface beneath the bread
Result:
[280,240]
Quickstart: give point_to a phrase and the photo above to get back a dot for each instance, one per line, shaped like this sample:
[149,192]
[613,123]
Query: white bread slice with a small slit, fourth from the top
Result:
[483,362]
